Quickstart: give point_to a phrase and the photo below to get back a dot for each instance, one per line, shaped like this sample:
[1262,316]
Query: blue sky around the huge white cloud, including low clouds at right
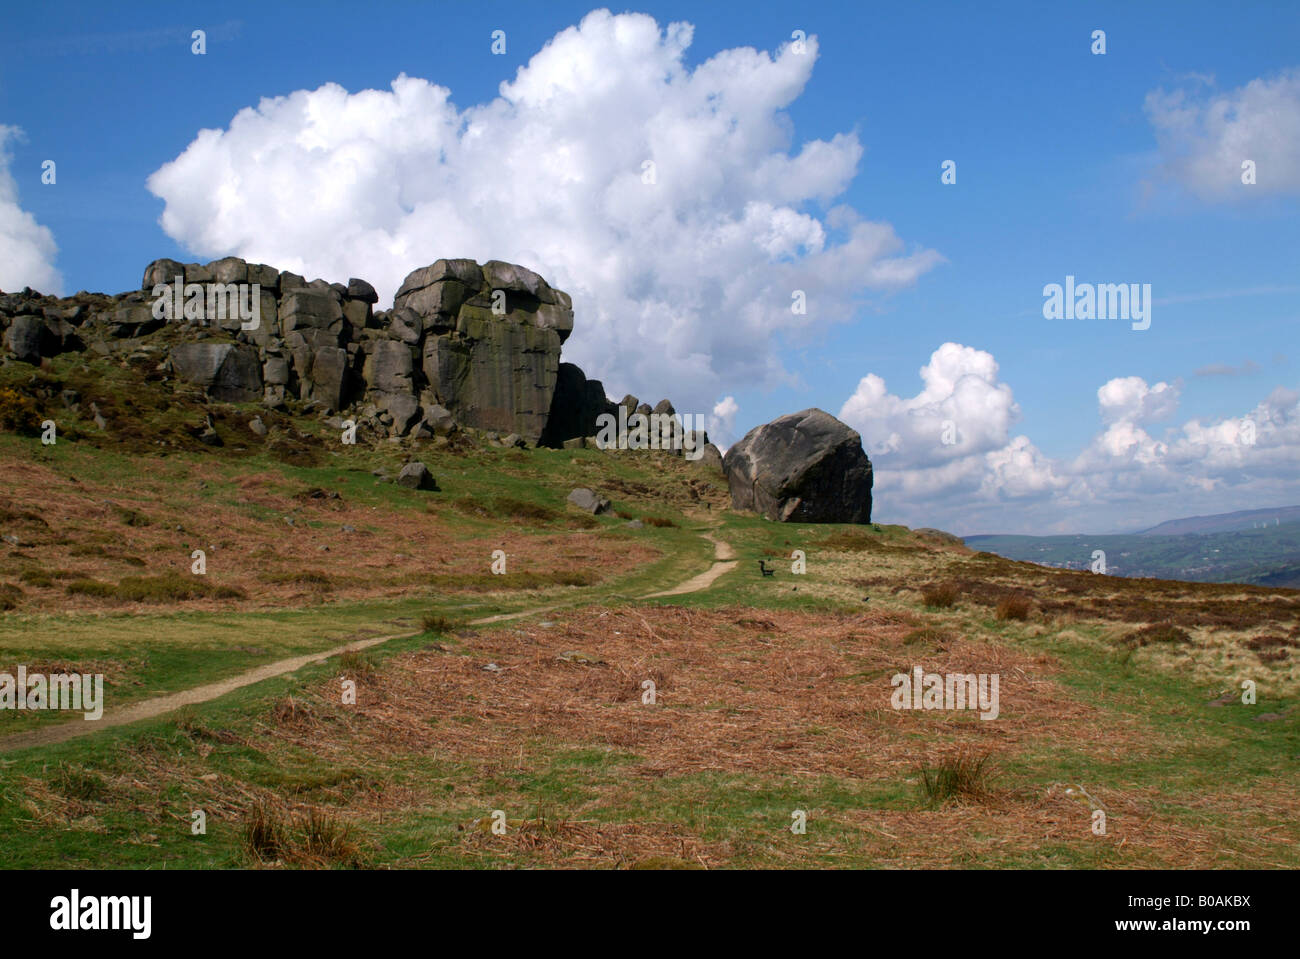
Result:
[1061,170]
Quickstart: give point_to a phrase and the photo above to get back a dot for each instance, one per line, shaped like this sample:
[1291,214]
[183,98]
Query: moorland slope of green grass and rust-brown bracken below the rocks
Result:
[772,695]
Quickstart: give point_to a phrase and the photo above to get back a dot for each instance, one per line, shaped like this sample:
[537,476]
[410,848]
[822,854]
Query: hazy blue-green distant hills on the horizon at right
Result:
[1251,546]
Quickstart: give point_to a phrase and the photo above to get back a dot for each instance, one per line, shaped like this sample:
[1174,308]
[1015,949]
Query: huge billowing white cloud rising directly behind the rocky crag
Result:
[682,287]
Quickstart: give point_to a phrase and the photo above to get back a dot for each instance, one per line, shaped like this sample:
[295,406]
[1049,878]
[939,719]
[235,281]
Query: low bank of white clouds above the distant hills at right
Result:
[986,480]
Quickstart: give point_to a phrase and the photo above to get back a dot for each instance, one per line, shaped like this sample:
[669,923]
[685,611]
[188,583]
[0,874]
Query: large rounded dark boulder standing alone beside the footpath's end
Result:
[801,468]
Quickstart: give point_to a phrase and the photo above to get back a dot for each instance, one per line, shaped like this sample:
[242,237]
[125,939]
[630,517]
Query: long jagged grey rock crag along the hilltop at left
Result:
[465,348]
